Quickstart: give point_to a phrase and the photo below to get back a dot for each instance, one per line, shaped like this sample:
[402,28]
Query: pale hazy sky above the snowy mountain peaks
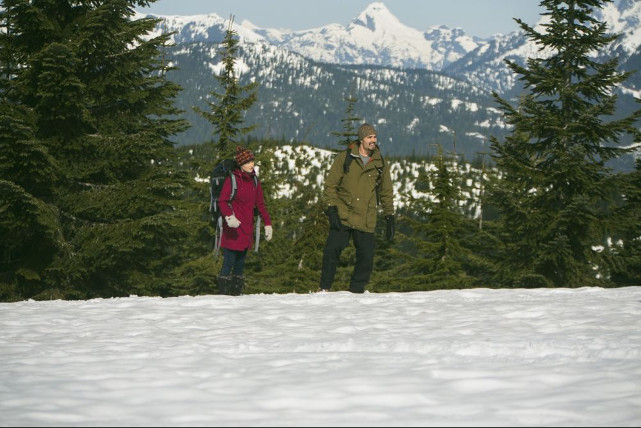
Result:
[481,18]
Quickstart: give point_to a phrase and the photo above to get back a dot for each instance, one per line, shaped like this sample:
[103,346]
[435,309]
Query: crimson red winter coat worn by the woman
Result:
[247,197]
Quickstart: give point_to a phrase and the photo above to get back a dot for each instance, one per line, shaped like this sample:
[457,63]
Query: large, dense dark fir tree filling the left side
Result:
[99,111]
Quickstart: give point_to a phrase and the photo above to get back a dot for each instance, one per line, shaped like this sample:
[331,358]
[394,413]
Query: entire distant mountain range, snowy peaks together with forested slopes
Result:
[411,83]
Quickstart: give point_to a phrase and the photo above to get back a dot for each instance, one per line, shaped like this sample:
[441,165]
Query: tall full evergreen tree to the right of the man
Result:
[556,193]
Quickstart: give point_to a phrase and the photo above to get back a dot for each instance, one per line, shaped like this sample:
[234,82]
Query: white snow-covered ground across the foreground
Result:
[480,357]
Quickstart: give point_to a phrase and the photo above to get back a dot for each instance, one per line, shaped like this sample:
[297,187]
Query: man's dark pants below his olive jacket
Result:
[337,241]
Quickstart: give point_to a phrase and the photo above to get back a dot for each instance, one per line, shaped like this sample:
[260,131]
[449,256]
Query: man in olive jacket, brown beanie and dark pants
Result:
[358,180]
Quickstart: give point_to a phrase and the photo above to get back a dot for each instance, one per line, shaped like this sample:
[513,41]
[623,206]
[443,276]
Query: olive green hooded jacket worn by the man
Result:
[354,193]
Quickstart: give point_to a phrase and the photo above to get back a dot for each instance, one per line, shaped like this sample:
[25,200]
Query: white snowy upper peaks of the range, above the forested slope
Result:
[377,37]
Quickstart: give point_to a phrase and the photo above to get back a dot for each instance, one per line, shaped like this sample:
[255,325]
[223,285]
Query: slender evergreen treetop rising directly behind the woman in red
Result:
[228,107]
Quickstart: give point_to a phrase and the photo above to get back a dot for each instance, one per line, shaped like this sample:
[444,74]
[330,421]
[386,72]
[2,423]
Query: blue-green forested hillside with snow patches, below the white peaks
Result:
[300,100]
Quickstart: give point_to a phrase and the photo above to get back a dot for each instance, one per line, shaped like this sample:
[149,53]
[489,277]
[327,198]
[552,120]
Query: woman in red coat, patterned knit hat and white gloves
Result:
[238,227]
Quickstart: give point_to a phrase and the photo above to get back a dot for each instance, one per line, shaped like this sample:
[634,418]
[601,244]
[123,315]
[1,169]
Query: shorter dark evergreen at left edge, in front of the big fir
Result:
[29,223]
